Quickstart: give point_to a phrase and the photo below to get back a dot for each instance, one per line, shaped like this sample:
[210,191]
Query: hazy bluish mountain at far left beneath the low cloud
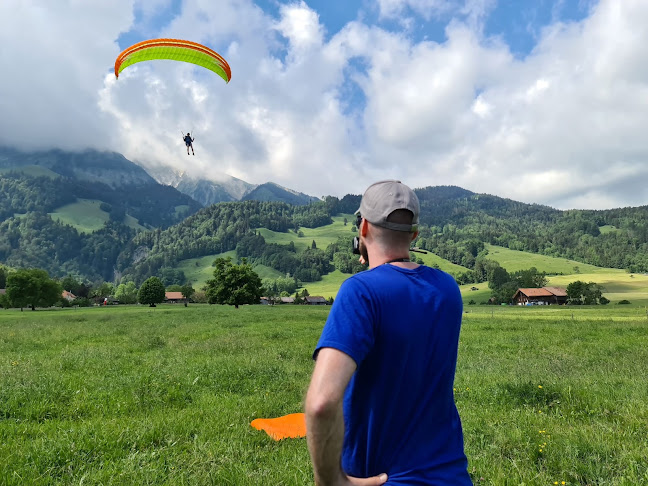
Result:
[57,178]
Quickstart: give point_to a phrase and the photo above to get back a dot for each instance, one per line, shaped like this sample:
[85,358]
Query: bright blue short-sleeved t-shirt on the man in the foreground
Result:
[401,327]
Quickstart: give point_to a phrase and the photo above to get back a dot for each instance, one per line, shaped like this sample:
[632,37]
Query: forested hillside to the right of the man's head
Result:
[456,223]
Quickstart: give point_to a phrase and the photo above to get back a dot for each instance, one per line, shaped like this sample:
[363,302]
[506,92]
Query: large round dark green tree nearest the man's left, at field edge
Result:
[233,284]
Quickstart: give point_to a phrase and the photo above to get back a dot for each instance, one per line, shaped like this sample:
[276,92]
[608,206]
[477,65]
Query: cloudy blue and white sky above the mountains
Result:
[540,101]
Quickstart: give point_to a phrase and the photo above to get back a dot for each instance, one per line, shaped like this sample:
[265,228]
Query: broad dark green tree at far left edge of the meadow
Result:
[33,288]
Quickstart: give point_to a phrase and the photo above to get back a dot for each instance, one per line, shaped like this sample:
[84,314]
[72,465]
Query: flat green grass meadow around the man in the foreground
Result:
[139,395]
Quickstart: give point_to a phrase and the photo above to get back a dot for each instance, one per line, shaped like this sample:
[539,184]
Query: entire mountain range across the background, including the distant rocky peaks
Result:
[120,198]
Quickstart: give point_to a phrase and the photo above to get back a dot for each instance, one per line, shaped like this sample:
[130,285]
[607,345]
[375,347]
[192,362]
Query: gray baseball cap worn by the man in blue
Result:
[383,198]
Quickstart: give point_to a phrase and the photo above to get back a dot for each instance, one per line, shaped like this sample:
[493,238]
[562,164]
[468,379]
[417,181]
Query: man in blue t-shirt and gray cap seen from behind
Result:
[380,406]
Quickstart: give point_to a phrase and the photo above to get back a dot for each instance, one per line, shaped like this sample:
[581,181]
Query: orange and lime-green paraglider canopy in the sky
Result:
[176,50]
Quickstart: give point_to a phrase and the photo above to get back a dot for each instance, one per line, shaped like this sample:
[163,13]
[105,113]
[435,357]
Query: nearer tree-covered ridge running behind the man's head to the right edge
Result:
[456,225]
